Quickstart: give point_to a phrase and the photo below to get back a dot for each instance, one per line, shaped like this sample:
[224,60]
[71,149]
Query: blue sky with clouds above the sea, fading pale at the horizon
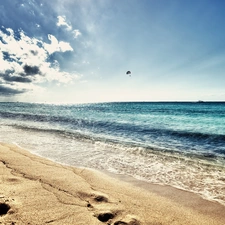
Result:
[75,51]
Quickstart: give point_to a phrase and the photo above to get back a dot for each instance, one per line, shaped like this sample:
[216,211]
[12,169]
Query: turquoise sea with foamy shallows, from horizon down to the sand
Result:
[180,144]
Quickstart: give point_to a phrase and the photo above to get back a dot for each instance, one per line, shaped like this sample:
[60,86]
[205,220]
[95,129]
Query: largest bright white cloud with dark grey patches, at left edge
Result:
[24,62]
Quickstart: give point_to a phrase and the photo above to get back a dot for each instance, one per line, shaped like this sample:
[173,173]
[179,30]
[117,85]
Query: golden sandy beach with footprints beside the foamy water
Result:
[34,190]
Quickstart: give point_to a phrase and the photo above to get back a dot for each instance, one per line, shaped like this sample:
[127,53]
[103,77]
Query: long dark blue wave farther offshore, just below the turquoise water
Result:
[115,128]
